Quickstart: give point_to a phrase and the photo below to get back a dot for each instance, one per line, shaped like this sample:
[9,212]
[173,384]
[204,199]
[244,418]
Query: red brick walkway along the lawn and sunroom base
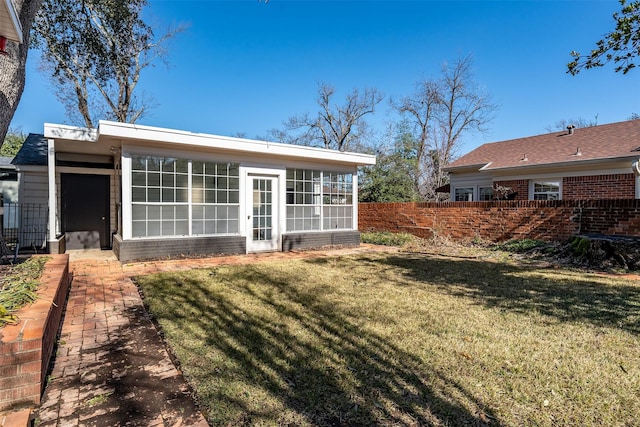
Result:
[111,367]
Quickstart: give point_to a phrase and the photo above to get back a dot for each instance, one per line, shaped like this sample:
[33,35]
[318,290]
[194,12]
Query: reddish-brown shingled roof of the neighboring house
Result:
[615,140]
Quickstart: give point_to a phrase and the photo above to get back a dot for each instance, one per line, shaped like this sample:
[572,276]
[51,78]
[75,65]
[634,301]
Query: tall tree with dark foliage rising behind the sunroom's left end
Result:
[95,52]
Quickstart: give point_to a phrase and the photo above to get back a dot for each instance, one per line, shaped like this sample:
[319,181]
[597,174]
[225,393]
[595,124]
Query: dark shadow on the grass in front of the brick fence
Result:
[565,295]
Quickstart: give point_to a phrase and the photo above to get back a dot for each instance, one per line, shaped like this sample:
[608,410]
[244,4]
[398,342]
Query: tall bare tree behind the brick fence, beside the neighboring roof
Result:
[442,112]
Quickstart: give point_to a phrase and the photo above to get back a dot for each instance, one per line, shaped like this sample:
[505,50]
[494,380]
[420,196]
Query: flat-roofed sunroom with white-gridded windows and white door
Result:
[150,192]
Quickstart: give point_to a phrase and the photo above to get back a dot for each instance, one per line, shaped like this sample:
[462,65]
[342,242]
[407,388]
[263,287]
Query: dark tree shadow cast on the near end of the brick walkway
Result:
[125,380]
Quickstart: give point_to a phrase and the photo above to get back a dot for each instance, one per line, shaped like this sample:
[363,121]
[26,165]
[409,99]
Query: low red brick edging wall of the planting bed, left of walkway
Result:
[26,347]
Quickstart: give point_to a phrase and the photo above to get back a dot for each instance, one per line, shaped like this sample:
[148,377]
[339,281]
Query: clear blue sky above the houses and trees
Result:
[245,66]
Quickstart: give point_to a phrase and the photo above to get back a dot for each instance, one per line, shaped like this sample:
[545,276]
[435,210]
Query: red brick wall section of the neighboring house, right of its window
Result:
[616,186]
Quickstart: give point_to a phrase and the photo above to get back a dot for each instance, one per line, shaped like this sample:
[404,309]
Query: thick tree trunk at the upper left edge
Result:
[12,66]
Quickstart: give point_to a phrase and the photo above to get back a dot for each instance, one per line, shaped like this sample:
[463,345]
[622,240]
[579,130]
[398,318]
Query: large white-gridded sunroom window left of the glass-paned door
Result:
[180,197]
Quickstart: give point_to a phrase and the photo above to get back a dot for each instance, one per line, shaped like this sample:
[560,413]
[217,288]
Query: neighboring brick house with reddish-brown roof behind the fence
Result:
[598,162]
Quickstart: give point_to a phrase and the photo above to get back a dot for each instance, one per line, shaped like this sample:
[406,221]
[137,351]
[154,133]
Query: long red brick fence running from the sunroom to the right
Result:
[504,220]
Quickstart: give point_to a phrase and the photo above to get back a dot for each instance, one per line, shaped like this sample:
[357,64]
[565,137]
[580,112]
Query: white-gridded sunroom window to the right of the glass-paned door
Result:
[319,200]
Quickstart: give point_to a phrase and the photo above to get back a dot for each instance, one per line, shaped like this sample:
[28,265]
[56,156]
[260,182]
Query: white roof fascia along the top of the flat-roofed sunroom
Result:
[178,138]
